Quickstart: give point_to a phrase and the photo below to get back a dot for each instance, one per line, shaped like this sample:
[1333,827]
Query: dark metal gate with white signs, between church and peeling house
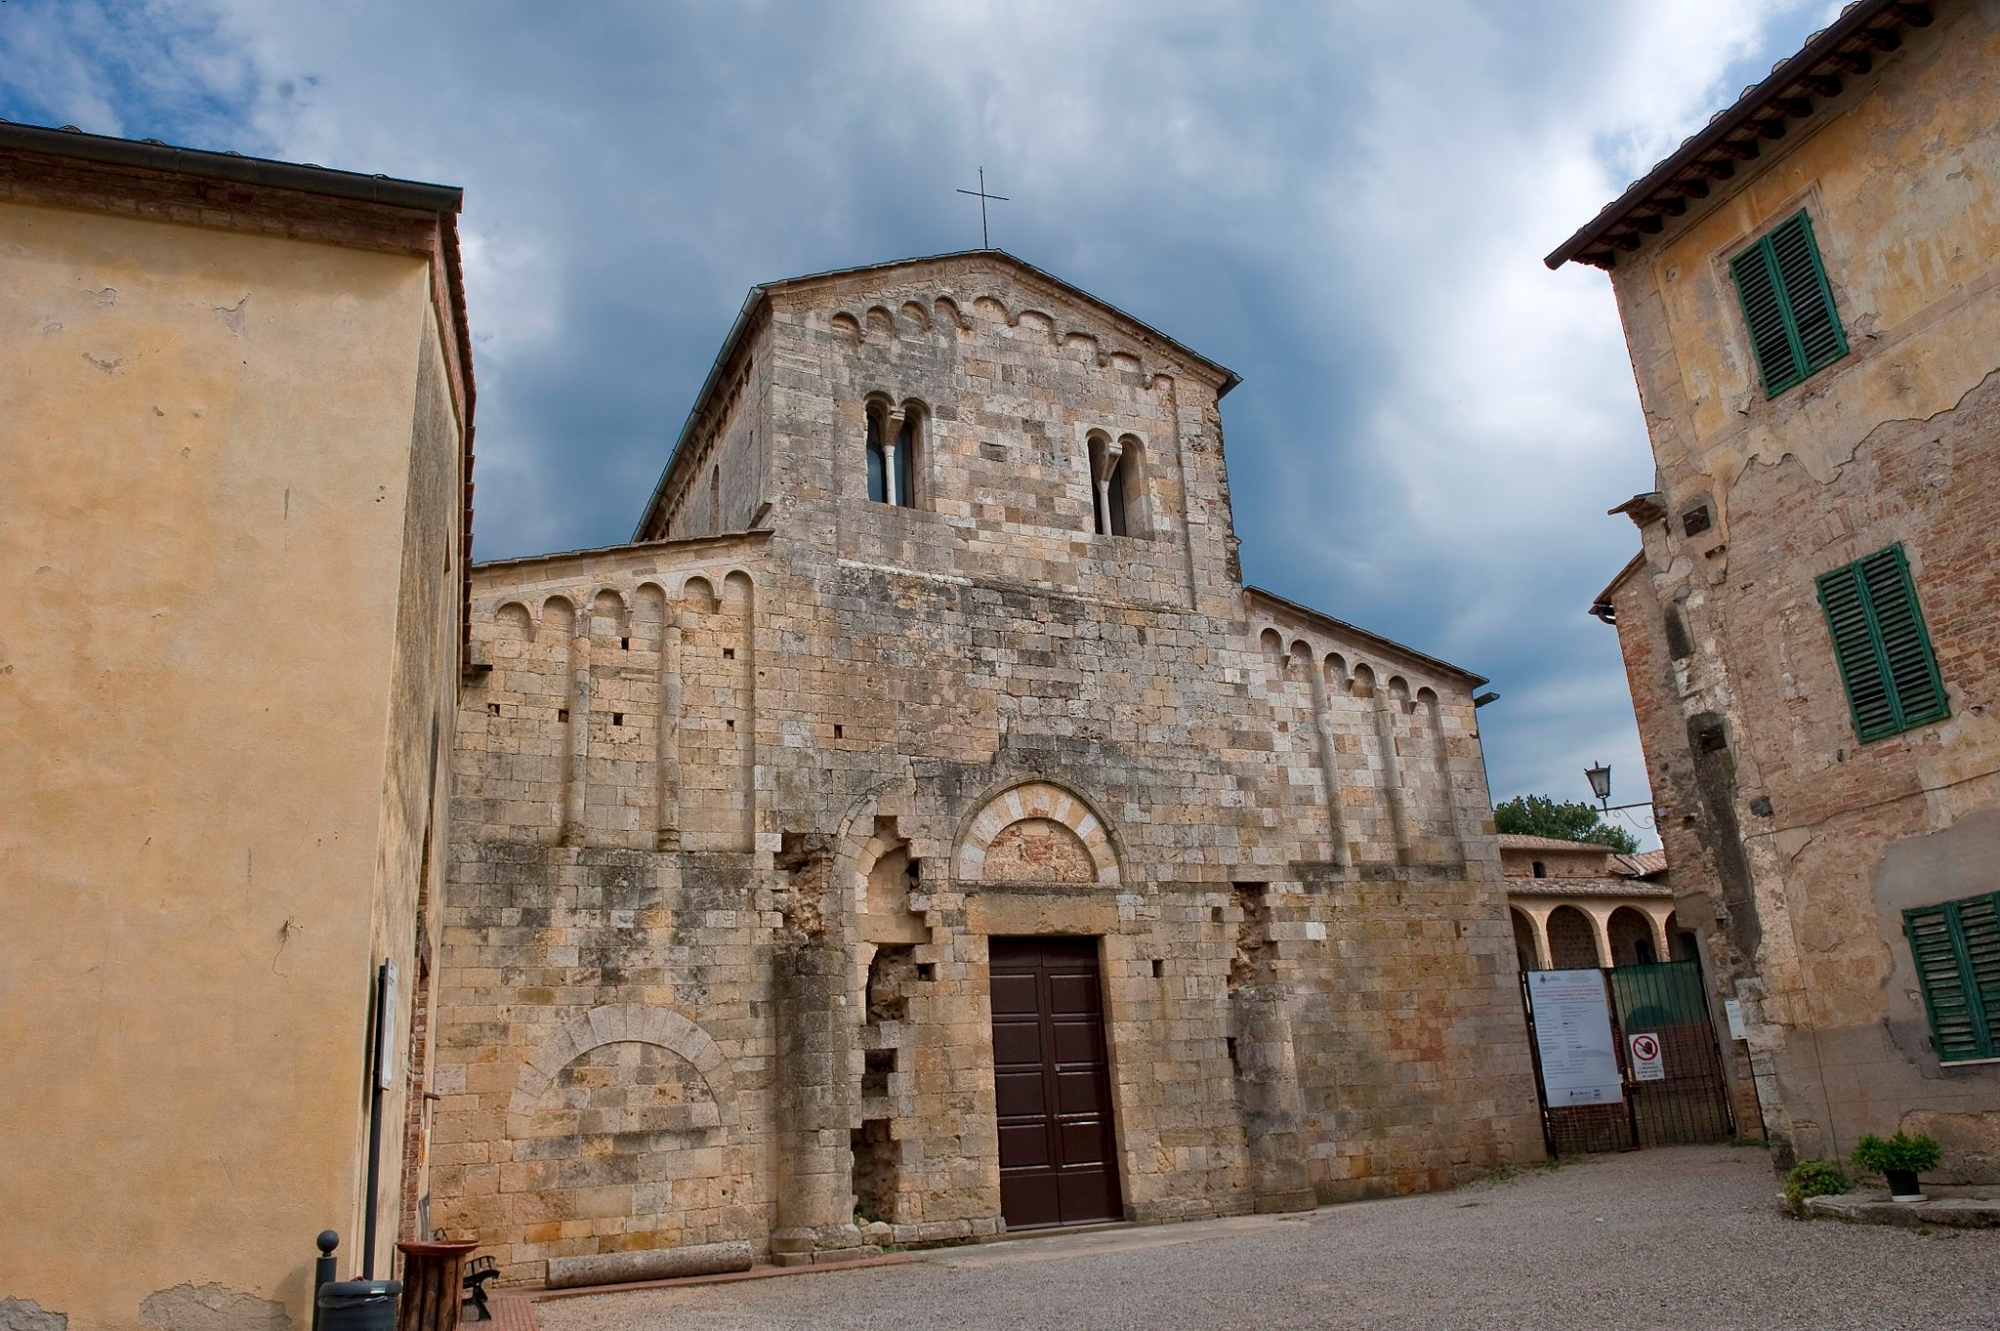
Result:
[1687,1104]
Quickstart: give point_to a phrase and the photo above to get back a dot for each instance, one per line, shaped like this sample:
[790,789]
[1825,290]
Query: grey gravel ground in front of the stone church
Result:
[1671,1238]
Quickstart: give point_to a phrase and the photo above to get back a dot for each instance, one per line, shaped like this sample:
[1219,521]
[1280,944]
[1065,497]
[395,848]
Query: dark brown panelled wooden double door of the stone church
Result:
[1059,1152]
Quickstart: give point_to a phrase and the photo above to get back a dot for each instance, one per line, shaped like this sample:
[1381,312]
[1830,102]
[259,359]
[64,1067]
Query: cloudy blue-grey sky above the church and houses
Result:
[1345,203]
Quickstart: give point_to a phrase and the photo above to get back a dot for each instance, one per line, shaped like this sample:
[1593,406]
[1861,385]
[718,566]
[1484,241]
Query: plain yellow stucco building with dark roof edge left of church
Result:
[237,409]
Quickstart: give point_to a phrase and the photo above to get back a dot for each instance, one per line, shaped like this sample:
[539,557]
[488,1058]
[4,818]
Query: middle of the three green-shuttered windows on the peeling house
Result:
[1881,647]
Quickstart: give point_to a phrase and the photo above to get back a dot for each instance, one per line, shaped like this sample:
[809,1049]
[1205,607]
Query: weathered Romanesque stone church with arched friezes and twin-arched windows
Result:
[919,830]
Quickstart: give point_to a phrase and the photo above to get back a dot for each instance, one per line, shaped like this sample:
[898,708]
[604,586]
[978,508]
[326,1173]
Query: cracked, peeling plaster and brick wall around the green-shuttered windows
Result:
[1783,830]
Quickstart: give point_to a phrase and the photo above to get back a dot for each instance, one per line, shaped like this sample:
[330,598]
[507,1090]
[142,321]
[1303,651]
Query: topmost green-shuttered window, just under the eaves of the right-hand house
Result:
[1789,307]
